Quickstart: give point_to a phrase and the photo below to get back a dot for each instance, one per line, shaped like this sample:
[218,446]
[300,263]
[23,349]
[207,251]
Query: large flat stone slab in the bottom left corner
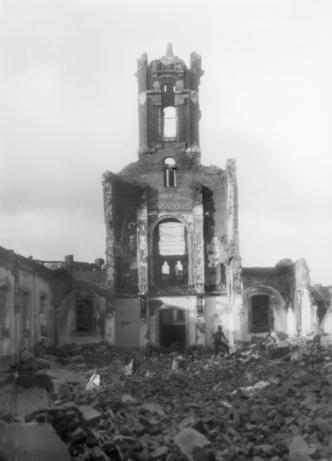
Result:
[32,442]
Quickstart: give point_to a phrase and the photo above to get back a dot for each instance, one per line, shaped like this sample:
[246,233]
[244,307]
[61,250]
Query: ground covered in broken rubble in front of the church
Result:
[271,399]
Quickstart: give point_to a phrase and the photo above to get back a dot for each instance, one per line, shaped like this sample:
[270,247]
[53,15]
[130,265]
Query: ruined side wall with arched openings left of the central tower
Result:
[56,302]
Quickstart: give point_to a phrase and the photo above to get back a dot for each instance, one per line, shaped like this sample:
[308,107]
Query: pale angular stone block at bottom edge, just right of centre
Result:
[191,444]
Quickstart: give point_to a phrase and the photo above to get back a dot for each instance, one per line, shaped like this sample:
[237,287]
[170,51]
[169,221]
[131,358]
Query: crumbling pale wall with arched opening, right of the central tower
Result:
[278,298]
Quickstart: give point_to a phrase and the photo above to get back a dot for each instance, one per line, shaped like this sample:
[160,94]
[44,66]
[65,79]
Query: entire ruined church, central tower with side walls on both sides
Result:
[173,269]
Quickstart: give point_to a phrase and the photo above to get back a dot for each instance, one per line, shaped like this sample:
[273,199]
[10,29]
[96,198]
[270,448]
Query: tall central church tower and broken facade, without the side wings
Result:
[202,198]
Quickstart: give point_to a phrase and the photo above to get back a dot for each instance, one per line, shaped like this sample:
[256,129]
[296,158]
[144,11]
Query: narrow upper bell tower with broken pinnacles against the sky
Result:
[168,101]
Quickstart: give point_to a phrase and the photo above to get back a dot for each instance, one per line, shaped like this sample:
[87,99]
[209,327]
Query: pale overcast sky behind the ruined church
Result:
[68,112]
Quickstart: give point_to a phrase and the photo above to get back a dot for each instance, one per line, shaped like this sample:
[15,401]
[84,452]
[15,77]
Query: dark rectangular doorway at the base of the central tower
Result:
[172,328]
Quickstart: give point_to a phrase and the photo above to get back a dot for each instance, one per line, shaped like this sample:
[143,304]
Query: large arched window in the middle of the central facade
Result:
[170,254]
